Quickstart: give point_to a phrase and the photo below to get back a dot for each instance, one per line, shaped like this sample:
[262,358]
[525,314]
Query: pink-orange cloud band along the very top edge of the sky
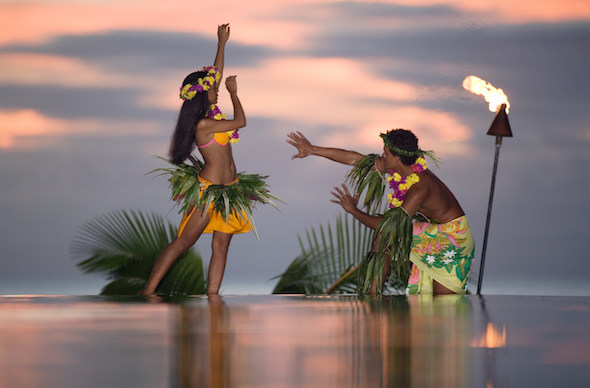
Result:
[267,23]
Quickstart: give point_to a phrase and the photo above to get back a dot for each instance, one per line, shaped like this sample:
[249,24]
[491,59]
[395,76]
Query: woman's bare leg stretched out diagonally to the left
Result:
[191,233]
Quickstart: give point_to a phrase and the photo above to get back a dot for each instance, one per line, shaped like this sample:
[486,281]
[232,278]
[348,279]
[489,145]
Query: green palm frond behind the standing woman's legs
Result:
[123,245]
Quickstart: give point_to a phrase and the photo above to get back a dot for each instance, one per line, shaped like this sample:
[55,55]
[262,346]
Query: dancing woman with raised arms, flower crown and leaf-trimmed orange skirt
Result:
[201,122]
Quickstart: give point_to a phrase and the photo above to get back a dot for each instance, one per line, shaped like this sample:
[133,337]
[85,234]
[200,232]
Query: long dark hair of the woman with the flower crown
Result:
[191,112]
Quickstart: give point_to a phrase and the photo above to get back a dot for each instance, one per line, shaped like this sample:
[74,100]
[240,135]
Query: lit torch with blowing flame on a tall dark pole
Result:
[499,128]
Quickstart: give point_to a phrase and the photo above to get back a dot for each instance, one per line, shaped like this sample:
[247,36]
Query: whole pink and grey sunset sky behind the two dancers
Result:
[89,92]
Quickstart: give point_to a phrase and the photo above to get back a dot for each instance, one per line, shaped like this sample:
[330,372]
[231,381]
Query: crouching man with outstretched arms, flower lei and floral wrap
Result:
[441,249]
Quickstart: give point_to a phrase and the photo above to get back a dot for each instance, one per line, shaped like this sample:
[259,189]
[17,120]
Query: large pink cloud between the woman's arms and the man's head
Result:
[342,93]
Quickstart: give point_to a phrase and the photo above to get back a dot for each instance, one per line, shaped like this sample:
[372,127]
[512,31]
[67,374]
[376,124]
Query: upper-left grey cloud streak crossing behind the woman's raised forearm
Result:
[137,51]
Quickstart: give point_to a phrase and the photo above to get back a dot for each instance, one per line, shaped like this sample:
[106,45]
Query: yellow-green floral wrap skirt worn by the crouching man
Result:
[441,252]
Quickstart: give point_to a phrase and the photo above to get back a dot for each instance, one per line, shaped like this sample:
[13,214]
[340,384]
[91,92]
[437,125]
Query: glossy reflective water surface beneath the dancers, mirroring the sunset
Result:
[295,341]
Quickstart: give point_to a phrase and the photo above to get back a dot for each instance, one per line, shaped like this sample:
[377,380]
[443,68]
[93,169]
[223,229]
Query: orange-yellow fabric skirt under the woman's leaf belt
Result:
[235,223]
